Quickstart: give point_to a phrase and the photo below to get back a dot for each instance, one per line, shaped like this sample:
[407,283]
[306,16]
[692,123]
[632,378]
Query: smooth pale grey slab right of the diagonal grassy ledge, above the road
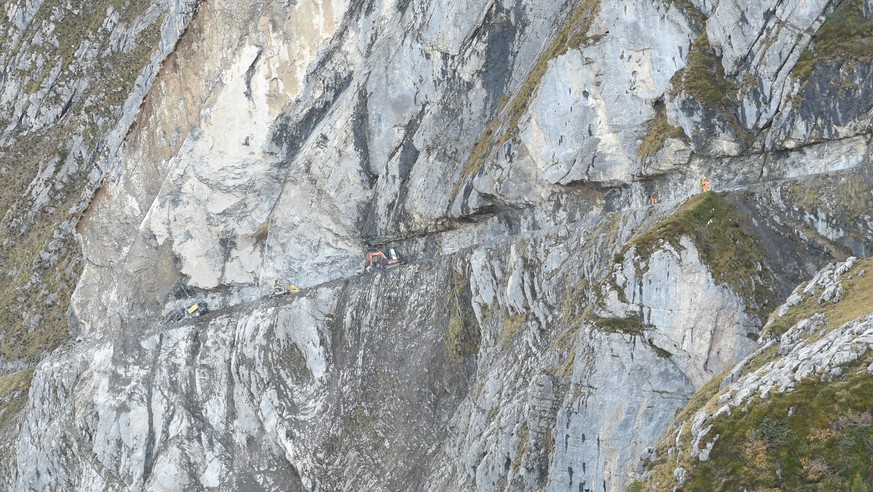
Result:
[572,132]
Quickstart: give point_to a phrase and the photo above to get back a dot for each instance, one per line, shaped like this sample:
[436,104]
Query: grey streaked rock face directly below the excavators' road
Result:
[494,383]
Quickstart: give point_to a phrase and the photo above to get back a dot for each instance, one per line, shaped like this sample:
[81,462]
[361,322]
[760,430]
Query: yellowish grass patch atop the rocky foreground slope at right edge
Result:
[856,302]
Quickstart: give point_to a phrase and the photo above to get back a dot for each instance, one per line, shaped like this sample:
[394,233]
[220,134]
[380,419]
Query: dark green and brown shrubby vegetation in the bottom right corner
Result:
[817,437]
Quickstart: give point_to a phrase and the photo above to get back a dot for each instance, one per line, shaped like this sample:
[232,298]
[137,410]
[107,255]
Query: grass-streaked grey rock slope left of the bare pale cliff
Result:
[72,80]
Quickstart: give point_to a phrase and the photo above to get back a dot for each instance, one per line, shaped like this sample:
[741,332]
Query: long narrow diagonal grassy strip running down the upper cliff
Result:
[504,126]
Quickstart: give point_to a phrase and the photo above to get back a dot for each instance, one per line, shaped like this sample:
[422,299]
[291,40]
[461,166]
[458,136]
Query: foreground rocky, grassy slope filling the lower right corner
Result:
[818,341]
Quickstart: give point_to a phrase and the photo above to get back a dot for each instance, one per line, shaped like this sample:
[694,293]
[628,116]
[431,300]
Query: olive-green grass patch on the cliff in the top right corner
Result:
[845,34]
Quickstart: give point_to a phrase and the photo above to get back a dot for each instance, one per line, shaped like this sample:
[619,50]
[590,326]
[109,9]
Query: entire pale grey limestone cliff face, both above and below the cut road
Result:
[528,343]
